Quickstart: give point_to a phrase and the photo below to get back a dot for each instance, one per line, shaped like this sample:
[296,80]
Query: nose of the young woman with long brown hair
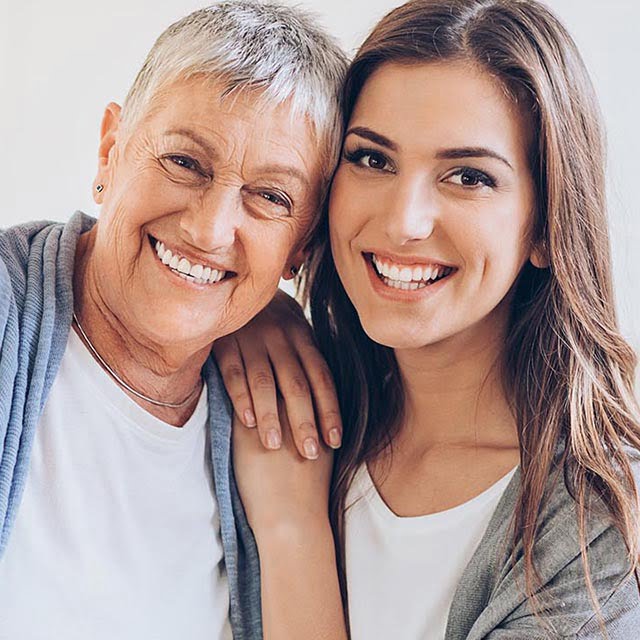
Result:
[410,211]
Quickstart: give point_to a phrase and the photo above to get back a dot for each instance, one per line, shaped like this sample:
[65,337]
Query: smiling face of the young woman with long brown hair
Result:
[432,204]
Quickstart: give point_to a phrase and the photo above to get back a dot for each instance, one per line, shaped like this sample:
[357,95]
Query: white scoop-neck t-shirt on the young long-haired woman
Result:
[402,572]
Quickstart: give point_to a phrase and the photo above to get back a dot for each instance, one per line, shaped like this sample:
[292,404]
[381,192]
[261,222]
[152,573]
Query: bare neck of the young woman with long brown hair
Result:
[455,394]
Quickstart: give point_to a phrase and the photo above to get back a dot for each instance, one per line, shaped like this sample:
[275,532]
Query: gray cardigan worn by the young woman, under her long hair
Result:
[490,604]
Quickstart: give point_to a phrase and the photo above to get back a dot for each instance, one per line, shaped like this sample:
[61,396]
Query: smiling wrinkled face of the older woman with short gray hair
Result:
[205,202]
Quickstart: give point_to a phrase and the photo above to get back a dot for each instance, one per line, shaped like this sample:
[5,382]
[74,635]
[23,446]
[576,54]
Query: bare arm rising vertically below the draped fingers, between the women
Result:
[286,501]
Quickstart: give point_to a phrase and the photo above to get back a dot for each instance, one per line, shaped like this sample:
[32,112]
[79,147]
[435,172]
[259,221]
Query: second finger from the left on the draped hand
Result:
[262,387]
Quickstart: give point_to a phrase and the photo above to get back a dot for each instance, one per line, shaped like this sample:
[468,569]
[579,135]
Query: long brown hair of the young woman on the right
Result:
[568,369]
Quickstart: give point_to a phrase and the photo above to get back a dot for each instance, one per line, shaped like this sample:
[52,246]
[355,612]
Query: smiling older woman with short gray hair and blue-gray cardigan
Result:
[118,509]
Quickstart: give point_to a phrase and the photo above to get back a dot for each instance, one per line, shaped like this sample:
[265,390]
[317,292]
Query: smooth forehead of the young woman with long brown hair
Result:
[443,104]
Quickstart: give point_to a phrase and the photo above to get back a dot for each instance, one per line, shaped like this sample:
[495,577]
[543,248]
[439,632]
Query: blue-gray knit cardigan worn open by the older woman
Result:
[36,303]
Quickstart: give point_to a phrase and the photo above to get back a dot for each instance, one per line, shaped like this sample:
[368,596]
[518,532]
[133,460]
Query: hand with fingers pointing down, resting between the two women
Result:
[277,347]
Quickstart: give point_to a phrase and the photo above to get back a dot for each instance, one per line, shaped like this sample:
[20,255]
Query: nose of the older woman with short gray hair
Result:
[211,223]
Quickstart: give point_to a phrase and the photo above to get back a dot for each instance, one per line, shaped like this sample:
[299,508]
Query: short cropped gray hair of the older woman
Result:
[247,44]
